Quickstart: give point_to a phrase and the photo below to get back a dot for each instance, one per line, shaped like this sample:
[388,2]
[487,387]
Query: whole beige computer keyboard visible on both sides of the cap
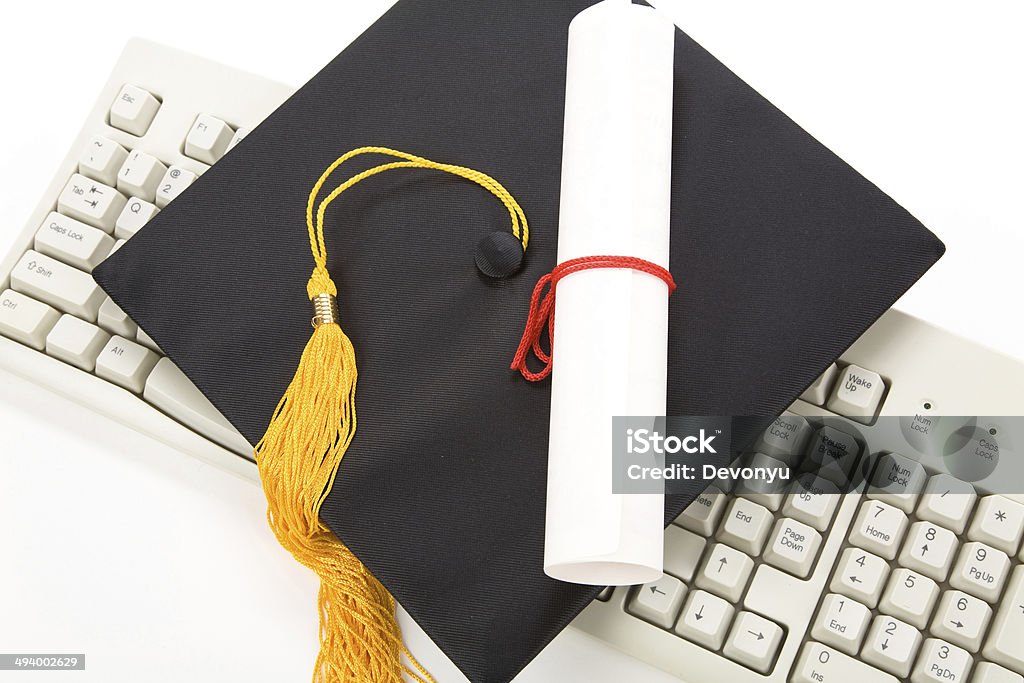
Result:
[917,575]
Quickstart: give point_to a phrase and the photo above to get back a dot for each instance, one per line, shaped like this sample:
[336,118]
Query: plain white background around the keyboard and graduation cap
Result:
[161,569]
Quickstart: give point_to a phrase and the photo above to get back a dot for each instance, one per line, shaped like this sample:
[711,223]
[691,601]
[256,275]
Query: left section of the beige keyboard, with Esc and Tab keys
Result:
[162,119]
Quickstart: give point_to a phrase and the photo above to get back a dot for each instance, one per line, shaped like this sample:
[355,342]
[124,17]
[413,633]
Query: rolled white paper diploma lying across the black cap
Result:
[611,340]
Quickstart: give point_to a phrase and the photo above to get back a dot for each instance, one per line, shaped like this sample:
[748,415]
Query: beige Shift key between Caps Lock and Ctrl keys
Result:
[58,284]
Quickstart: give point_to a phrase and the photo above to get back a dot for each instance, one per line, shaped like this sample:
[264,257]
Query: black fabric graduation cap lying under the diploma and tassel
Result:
[785,257]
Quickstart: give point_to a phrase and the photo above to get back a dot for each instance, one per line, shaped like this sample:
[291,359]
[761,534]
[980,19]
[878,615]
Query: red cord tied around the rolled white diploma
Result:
[542,312]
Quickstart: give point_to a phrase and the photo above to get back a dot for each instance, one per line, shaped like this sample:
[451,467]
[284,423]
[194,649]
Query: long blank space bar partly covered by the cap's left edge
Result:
[169,390]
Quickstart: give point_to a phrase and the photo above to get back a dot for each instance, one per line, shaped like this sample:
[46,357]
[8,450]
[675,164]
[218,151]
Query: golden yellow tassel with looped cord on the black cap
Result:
[300,455]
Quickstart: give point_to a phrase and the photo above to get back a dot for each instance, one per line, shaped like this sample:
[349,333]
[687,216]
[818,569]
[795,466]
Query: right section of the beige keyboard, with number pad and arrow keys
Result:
[886,560]
